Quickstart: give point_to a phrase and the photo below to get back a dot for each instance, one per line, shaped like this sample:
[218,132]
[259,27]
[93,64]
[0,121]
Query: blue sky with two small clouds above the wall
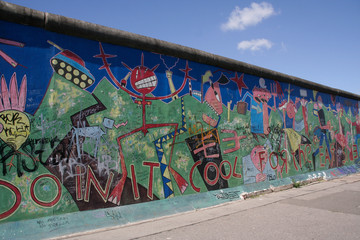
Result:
[314,40]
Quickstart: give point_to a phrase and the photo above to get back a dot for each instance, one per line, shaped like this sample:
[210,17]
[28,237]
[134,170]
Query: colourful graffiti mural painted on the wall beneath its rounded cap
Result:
[87,125]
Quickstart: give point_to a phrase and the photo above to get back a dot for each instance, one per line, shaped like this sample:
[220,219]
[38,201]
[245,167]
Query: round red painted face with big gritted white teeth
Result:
[143,79]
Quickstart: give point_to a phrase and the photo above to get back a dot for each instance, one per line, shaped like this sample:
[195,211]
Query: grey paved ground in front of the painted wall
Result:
[325,210]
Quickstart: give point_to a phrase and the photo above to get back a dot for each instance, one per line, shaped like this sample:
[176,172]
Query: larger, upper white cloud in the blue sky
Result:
[240,19]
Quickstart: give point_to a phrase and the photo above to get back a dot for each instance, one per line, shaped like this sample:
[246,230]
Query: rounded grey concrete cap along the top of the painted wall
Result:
[60,24]
